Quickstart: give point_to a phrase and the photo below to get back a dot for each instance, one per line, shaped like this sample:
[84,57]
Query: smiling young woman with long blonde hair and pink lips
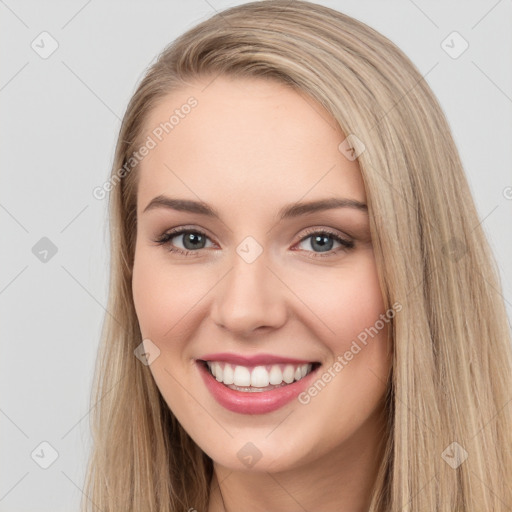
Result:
[304,311]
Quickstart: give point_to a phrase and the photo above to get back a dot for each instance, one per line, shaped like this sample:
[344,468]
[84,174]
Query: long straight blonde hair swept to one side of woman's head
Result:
[451,379]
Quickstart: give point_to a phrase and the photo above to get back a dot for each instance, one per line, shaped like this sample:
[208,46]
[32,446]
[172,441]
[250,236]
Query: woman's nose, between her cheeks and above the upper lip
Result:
[249,299]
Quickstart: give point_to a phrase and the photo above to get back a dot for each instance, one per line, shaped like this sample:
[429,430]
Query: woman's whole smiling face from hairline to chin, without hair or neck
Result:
[254,261]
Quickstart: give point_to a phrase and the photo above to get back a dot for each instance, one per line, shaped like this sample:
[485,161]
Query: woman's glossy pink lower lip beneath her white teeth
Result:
[257,402]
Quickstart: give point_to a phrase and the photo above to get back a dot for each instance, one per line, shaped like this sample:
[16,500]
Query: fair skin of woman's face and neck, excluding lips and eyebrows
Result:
[248,148]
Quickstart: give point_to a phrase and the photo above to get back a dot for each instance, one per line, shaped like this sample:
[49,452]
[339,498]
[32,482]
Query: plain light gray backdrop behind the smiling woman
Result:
[60,118]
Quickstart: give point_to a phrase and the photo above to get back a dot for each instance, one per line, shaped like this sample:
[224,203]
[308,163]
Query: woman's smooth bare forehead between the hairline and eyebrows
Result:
[245,140]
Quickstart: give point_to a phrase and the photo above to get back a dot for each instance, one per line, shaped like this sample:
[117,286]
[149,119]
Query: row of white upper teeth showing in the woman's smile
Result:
[259,376]
